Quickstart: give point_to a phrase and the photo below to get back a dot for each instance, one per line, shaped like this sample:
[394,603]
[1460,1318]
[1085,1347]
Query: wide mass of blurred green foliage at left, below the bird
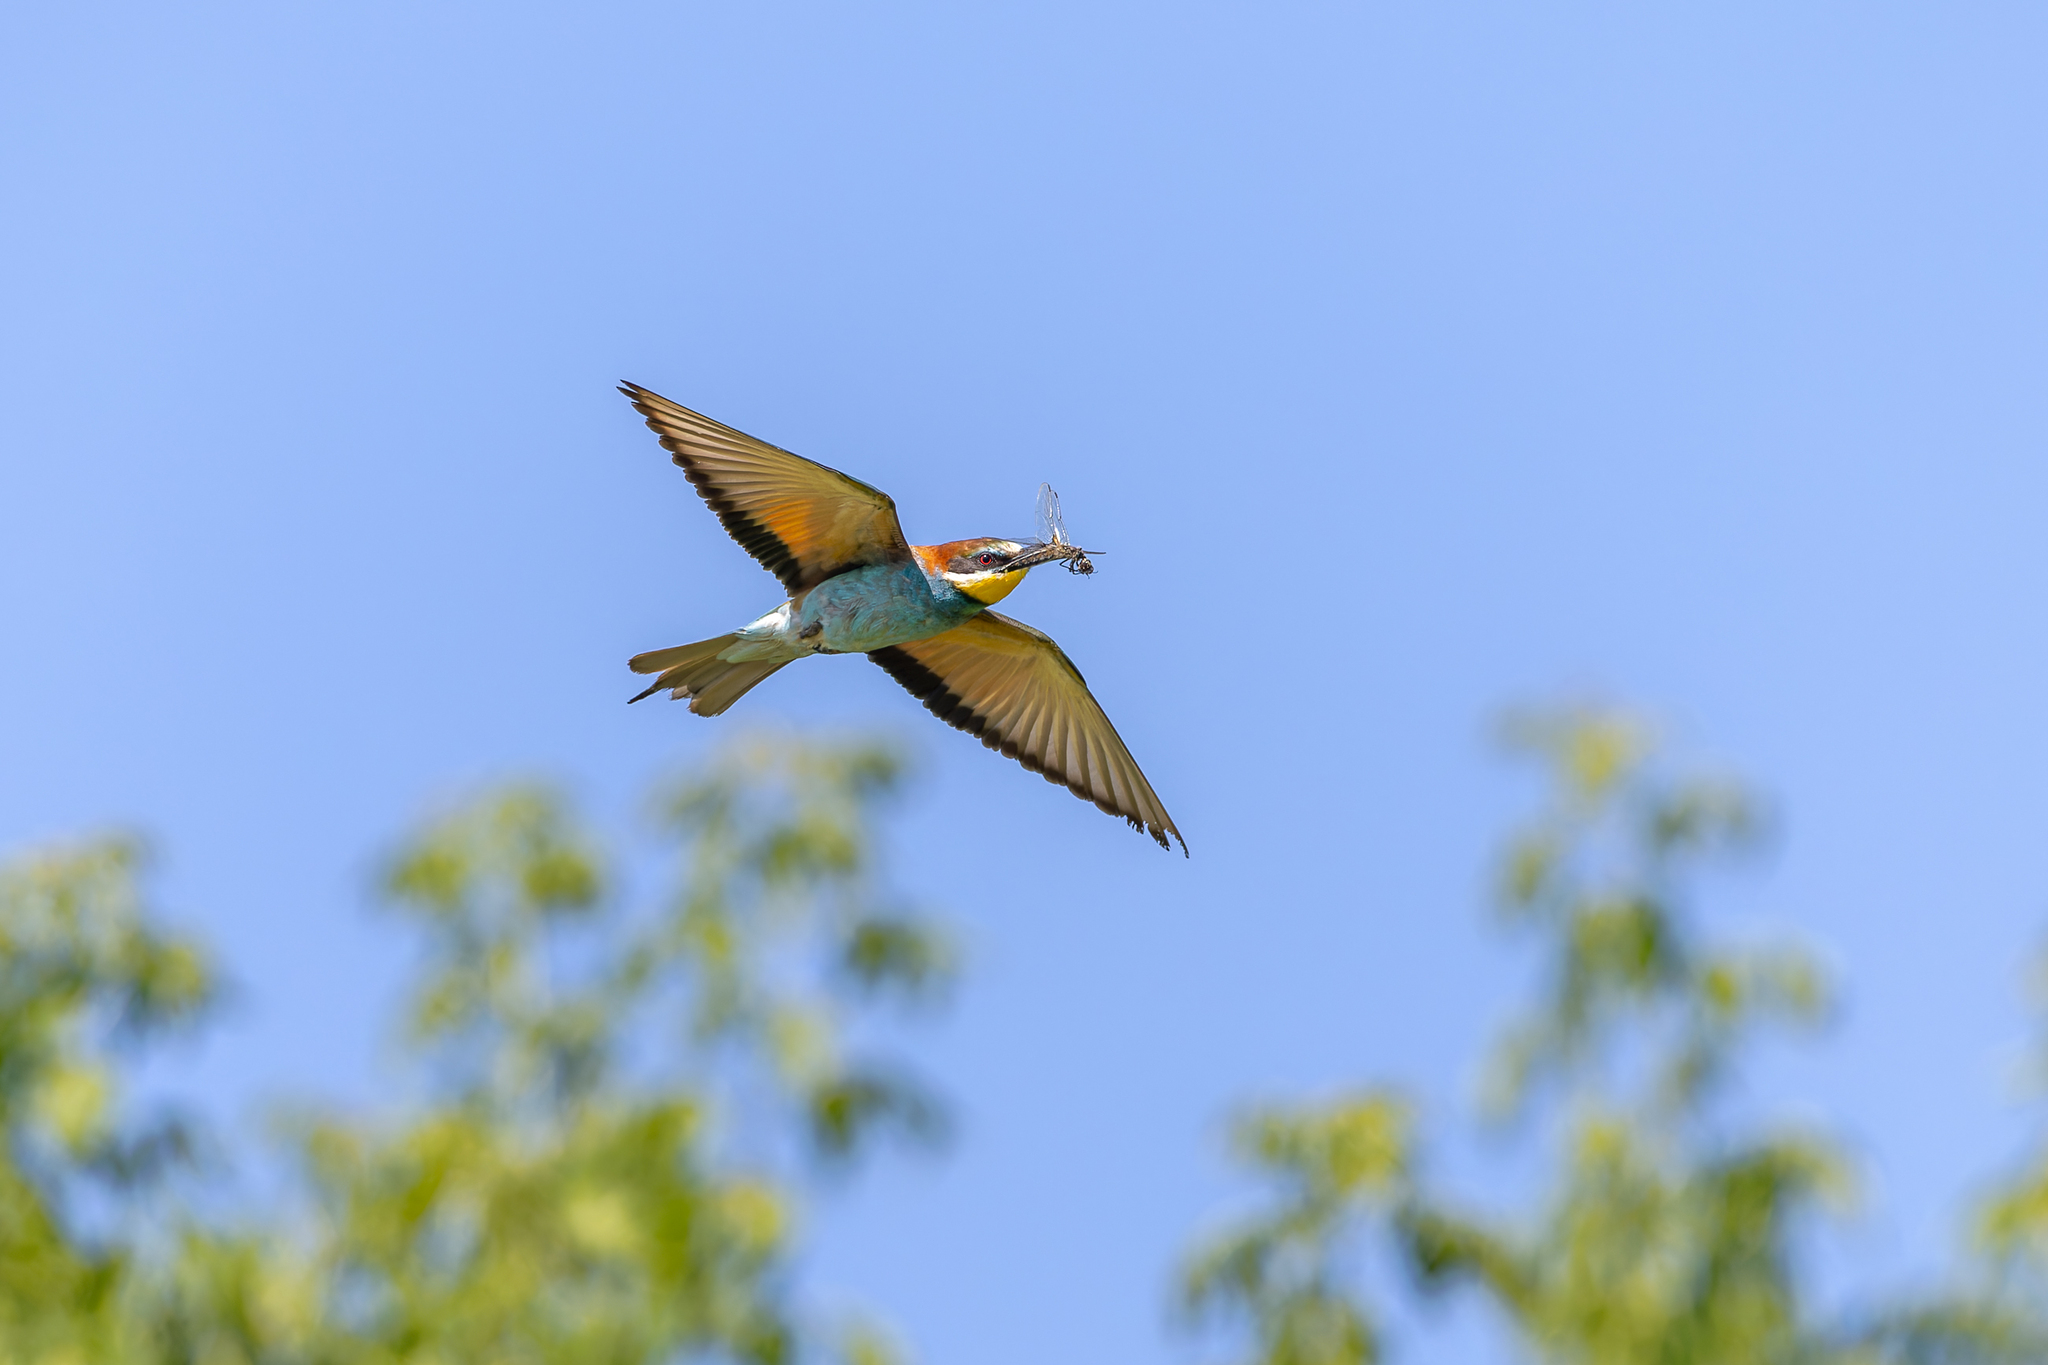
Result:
[617,1104]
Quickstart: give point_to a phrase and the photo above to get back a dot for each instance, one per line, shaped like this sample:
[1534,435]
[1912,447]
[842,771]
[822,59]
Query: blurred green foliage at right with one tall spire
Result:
[1666,1223]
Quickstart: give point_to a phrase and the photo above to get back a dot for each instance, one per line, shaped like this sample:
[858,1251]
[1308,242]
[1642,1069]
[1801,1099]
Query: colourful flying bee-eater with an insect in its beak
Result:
[921,611]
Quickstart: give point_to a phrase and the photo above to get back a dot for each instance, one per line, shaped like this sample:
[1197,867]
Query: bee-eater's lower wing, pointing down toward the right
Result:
[1019,693]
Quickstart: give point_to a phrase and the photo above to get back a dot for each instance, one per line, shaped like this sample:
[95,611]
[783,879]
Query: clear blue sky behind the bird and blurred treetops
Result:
[1410,361]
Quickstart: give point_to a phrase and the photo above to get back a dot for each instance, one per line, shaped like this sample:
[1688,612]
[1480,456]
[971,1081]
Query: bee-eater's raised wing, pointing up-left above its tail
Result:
[804,521]
